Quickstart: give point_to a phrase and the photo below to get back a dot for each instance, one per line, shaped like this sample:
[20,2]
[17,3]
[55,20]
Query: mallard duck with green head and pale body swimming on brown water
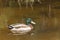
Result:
[19,28]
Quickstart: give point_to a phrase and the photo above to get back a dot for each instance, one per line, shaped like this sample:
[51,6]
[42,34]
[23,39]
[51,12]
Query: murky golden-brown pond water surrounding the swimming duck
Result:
[46,28]
